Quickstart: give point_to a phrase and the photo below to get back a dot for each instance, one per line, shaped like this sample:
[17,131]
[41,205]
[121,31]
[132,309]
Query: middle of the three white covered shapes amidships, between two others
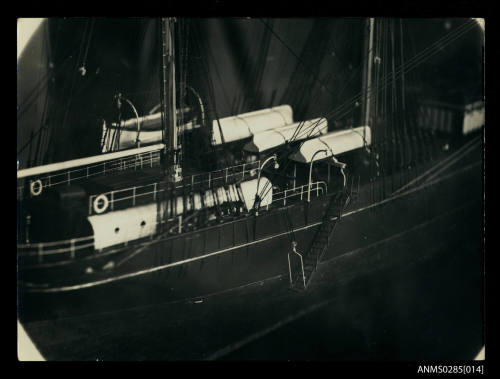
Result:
[269,139]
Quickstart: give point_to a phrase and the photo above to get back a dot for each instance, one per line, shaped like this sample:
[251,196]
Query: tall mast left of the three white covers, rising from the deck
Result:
[172,149]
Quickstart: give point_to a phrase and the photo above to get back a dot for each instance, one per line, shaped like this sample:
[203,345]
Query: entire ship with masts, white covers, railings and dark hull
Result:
[202,203]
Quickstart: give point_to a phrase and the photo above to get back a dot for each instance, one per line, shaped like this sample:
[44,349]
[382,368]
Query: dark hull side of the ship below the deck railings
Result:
[247,250]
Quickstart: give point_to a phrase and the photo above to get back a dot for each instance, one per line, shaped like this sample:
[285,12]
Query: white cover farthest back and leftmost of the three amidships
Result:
[245,125]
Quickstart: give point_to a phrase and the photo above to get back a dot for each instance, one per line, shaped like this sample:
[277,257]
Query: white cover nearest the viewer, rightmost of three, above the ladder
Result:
[334,143]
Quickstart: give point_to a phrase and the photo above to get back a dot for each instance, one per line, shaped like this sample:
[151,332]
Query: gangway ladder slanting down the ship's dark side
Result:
[303,266]
